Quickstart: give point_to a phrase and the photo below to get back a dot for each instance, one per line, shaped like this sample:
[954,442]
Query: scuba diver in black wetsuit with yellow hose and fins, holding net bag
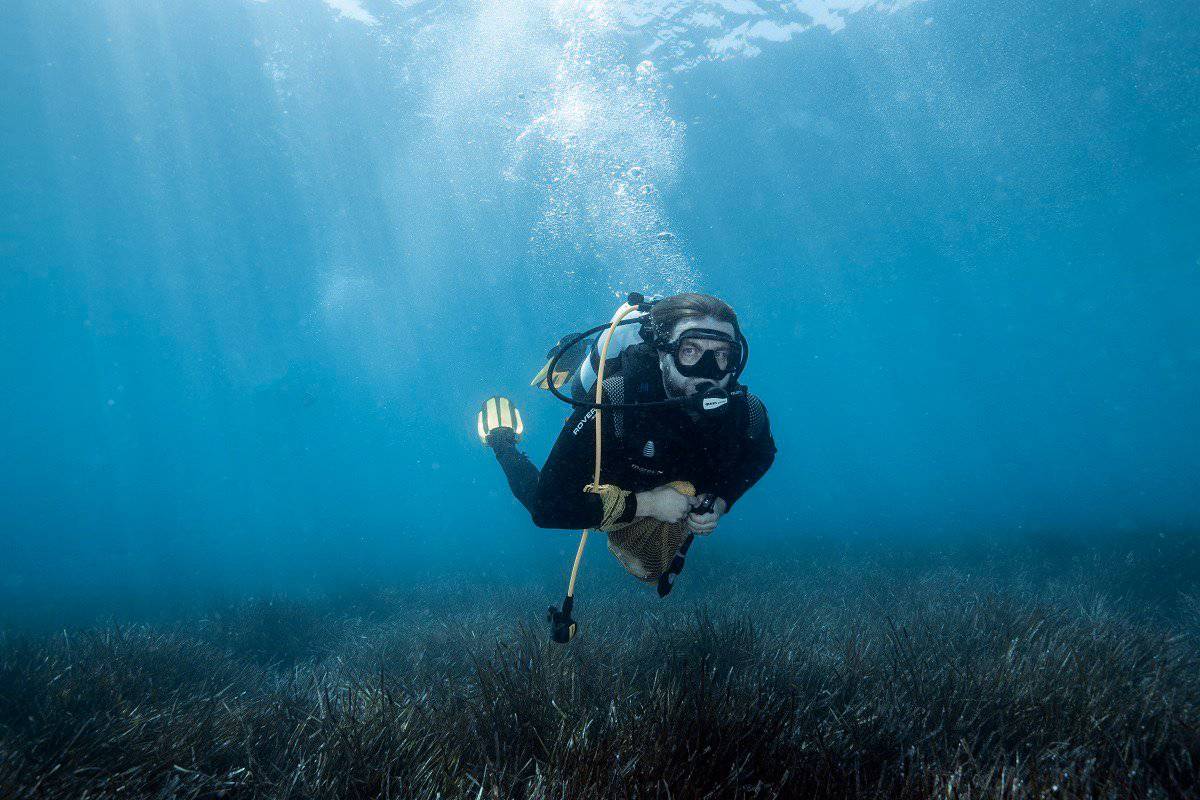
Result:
[662,414]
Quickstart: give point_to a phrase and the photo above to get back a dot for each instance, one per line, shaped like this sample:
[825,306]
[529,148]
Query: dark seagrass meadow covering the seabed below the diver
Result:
[843,672]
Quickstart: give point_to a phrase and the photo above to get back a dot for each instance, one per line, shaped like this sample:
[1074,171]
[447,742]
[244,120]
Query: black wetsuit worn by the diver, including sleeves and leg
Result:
[644,449]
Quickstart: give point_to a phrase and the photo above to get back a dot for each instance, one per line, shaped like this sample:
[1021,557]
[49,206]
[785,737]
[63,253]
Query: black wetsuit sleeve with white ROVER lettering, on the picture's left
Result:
[561,501]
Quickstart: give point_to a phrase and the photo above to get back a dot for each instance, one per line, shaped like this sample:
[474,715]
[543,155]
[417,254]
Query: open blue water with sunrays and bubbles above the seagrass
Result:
[261,262]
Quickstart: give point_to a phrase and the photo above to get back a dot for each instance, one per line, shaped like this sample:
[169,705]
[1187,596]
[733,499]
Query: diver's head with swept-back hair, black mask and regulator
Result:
[699,342]
